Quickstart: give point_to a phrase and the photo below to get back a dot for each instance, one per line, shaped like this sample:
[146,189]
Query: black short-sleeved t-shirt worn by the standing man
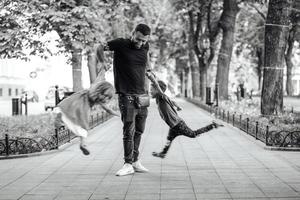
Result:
[129,66]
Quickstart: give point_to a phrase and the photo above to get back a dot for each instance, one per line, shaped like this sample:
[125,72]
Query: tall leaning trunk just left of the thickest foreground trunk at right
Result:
[227,24]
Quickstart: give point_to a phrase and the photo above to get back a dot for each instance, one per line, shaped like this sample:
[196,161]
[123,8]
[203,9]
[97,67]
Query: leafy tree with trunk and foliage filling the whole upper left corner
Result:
[78,23]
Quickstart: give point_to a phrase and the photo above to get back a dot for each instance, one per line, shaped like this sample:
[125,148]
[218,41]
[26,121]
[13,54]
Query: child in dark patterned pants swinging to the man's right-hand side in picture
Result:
[168,113]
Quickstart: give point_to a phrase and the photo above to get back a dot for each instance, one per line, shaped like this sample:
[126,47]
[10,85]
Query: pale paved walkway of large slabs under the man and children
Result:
[222,164]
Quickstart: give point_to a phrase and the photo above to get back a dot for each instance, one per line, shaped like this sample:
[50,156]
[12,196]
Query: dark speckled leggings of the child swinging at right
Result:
[182,129]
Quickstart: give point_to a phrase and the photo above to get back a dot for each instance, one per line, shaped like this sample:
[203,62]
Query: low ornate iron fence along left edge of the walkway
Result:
[17,145]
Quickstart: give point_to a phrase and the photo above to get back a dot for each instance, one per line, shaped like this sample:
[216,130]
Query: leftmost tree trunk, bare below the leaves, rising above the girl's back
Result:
[76,69]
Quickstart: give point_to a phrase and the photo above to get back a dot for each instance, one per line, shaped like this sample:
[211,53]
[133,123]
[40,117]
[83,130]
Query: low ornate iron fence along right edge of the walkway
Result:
[259,131]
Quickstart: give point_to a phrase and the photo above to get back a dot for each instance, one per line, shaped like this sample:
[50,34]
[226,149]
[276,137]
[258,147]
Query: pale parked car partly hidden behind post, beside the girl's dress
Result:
[50,97]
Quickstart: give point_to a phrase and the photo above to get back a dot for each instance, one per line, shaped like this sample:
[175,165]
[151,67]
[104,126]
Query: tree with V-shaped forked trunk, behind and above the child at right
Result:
[201,18]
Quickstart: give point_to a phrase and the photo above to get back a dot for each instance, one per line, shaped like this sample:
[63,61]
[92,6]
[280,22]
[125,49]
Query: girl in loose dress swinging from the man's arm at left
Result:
[74,110]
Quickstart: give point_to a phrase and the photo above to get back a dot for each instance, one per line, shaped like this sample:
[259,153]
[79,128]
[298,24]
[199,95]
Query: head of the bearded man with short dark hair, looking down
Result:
[140,35]
